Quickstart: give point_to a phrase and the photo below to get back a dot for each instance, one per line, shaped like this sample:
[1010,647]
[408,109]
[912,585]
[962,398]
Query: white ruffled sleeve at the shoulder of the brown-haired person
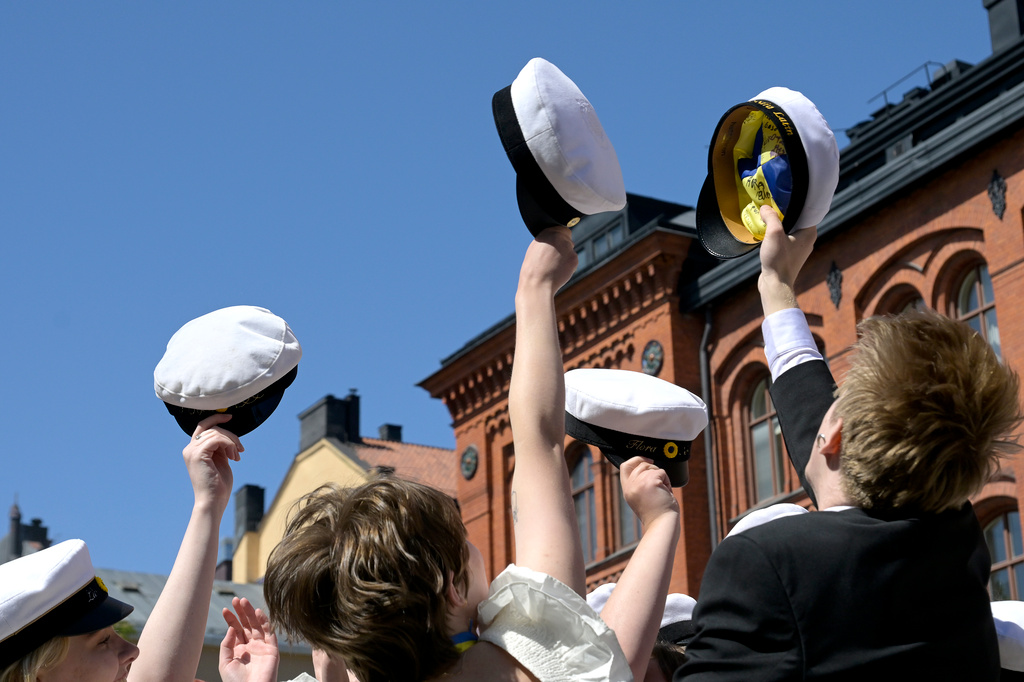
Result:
[550,630]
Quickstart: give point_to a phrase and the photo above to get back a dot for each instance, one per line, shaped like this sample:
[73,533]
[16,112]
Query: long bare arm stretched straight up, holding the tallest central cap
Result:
[544,519]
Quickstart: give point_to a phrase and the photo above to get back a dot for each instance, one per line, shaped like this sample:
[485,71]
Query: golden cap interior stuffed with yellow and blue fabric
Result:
[762,173]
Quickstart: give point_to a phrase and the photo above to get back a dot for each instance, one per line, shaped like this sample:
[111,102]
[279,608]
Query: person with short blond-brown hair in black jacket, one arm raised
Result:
[849,593]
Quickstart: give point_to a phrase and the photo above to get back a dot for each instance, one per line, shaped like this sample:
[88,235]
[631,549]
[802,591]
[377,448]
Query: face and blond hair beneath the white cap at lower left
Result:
[98,657]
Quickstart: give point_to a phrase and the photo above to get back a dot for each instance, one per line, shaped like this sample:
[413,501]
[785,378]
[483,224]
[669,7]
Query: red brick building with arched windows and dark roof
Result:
[930,211]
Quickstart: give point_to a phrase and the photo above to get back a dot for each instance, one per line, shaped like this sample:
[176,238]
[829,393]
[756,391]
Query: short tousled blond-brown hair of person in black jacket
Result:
[928,411]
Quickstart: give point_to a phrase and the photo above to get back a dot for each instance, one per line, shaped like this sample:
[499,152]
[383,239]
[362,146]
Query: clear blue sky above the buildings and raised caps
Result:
[336,163]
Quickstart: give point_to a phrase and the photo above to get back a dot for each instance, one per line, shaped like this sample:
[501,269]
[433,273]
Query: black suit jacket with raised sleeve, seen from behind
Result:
[849,595]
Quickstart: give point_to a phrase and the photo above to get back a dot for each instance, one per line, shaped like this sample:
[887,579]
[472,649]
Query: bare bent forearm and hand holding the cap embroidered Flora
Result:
[635,608]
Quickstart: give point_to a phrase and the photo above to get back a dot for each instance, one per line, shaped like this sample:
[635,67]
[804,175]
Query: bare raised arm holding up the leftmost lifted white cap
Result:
[173,641]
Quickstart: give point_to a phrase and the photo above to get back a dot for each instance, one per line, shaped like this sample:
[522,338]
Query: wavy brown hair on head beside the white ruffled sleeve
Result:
[364,573]
